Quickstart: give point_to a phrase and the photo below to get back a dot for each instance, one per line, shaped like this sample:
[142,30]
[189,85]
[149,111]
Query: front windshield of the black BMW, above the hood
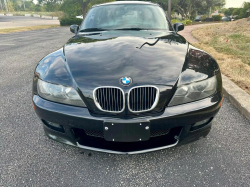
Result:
[125,16]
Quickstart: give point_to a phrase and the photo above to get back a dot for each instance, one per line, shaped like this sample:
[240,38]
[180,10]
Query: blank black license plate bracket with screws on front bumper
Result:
[126,132]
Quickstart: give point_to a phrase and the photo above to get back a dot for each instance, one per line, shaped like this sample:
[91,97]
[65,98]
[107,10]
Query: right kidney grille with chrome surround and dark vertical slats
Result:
[145,104]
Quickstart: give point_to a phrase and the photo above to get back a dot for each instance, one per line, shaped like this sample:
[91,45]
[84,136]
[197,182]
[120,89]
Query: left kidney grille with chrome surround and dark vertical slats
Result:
[107,100]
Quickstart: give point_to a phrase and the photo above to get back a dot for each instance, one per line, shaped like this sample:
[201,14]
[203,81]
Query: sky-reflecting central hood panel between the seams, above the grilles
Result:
[149,58]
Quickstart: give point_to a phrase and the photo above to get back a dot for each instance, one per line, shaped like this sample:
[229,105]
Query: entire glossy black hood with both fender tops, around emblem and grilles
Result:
[91,60]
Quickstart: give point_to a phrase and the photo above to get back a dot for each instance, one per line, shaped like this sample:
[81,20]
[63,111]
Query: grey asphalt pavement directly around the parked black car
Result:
[29,158]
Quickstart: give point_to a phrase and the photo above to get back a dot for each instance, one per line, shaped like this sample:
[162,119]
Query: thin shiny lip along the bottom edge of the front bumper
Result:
[127,153]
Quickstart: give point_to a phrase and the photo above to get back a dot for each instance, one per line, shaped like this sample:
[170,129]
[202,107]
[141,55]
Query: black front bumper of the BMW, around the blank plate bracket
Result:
[75,122]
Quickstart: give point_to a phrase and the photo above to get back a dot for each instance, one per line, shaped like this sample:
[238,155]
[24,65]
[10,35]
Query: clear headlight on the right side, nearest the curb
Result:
[194,91]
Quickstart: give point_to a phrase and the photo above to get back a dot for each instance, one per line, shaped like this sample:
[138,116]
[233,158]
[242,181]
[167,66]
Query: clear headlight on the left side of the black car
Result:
[59,93]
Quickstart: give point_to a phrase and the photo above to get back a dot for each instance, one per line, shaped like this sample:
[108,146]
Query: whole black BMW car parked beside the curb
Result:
[127,83]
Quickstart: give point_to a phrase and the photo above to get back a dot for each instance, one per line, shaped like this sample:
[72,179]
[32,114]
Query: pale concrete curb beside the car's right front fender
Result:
[238,97]
